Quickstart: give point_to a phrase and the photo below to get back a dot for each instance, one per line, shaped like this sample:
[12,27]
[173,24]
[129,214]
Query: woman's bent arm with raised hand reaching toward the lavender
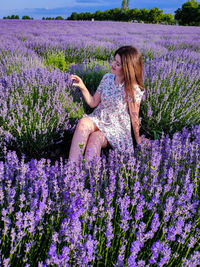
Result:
[92,101]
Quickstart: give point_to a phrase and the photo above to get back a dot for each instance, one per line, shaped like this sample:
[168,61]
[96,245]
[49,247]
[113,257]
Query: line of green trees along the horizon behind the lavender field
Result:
[188,14]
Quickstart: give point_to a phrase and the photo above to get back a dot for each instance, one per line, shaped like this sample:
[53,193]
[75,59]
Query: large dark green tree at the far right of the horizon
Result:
[189,13]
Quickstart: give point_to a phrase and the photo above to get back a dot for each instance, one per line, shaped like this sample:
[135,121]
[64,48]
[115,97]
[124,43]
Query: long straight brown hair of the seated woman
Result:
[132,66]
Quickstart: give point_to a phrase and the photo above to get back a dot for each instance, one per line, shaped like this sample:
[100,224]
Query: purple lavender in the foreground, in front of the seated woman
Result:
[124,210]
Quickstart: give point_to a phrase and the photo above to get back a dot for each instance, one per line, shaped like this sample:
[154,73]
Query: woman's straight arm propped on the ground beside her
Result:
[134,109]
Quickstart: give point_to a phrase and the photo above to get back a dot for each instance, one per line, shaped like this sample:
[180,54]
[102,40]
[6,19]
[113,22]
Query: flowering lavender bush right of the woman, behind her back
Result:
[172,100]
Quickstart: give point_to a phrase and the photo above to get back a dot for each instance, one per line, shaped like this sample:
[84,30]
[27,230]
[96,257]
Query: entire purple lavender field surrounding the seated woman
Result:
[124,210]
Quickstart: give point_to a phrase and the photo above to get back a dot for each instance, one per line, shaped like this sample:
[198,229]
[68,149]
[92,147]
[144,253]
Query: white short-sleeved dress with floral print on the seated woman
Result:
[111,116]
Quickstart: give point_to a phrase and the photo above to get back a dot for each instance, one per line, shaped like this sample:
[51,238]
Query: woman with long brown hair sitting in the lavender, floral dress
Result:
[117,101]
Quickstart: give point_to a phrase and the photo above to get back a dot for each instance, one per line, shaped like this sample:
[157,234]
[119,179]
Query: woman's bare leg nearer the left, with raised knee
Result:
[83,129]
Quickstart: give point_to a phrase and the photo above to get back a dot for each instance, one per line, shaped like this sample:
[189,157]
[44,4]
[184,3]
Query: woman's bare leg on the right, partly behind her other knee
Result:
[95,143]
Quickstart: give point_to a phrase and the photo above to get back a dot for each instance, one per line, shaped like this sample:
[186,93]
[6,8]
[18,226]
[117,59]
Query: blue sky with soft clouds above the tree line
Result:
[53,8]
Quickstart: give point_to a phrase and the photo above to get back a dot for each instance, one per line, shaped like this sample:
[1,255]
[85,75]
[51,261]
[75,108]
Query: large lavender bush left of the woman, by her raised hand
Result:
[36,108]
